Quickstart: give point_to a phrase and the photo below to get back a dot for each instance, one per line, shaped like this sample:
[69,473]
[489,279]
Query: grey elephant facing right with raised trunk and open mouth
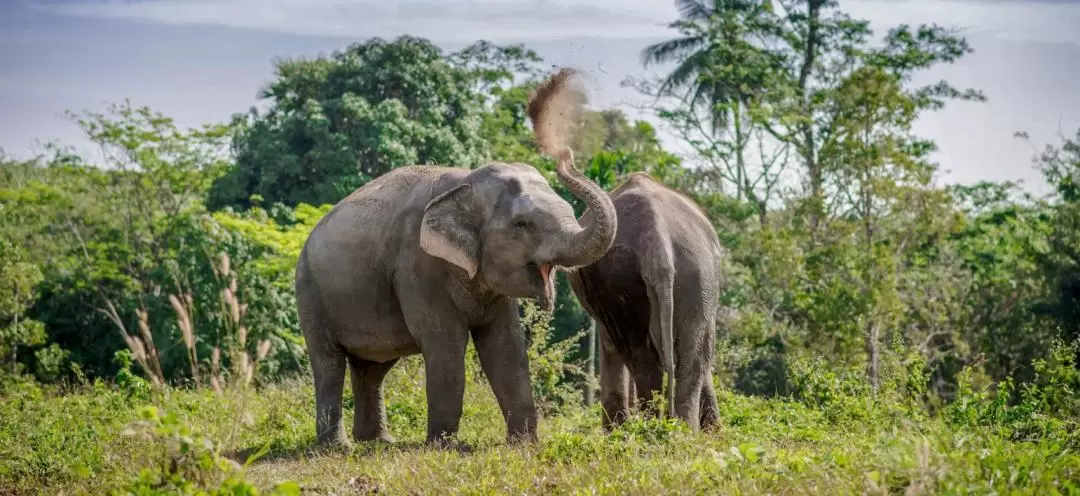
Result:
[421,260]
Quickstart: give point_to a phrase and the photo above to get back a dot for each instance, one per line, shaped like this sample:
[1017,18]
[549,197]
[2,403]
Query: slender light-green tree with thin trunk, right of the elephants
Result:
[882,177]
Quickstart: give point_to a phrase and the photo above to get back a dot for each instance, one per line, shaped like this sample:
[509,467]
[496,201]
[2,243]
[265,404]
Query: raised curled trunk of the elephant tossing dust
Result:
[598,224]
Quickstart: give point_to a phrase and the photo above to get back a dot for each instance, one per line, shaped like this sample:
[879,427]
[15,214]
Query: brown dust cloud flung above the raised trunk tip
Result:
[555,110]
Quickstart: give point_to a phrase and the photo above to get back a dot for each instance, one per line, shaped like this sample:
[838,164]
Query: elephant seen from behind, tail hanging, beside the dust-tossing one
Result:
[654,298]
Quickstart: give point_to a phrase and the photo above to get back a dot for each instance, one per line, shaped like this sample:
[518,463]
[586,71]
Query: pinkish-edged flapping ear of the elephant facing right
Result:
[449,233]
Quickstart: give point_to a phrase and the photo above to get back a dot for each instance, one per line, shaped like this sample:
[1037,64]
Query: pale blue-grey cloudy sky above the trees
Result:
[201,61]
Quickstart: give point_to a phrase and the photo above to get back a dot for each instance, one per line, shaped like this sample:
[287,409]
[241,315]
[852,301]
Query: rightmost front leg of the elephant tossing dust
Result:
[504,355]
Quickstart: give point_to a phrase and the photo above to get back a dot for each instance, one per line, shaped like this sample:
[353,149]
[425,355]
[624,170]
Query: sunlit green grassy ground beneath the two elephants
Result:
[85,443]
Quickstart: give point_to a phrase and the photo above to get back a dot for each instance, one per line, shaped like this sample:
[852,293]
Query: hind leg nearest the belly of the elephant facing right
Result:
[370,415]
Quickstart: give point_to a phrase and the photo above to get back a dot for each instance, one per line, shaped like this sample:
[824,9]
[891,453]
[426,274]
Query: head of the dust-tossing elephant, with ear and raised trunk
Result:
[506,225]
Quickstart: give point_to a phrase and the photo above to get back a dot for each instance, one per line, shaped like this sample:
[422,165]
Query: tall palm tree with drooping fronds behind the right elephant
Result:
[725,71]
